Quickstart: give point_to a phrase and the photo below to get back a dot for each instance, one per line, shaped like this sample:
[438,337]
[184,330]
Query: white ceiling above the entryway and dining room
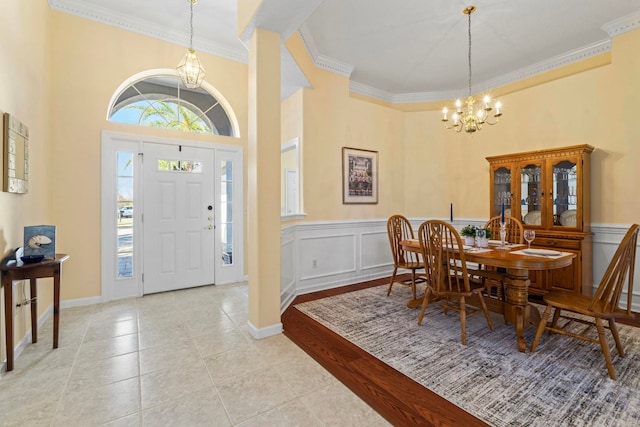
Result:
[394,50]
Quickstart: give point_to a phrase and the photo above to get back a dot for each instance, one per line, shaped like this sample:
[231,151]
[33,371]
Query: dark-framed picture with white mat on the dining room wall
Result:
[359,176]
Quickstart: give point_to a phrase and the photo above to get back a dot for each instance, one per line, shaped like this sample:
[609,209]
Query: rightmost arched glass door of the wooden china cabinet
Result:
[565,193]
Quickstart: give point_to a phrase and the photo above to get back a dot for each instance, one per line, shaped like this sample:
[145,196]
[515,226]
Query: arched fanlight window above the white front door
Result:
[160,99]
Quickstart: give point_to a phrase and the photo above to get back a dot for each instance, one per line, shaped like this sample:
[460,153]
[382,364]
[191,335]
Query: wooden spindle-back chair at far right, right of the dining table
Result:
[602,306]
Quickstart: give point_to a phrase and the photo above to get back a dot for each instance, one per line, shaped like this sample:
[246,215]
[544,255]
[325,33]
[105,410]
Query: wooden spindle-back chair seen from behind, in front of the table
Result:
[446,273]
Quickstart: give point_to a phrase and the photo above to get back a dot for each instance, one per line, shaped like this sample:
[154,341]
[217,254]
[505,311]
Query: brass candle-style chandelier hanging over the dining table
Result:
[471,120]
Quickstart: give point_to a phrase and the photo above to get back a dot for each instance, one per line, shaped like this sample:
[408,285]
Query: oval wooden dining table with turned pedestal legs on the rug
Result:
[517,263]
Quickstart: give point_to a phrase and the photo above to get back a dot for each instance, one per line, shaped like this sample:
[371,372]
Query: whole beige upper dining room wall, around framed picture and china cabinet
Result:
[424,168]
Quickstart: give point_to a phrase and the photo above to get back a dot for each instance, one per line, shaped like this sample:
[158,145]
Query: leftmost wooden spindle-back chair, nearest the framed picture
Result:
[399,229]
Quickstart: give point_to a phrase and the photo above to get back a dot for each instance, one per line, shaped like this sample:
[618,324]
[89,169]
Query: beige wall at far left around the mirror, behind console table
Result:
[24,92]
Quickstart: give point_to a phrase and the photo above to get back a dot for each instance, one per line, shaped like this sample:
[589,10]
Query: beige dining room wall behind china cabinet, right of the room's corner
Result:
[595,107]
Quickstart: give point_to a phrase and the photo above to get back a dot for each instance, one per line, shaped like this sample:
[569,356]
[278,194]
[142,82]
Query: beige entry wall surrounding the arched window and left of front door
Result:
[102,59]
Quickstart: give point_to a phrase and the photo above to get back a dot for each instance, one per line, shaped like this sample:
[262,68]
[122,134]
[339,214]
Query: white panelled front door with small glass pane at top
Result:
[178,217]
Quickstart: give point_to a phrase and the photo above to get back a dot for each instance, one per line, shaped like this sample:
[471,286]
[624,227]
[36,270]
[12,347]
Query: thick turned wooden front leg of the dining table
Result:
[517,310]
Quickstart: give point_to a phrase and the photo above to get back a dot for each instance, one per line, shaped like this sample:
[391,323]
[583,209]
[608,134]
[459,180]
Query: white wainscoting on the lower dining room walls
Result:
[325,255]
